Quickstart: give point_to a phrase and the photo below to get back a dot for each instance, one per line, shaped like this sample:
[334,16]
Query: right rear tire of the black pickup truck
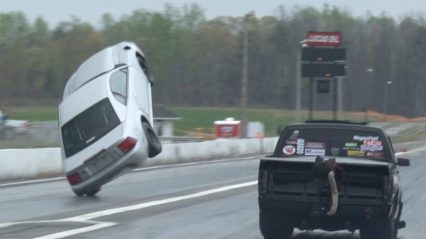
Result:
[379,229]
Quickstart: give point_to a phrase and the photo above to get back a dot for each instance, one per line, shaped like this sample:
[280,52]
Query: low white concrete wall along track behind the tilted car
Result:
[30,163]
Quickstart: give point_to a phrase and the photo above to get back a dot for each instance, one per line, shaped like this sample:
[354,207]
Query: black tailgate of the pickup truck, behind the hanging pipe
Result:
[293,179]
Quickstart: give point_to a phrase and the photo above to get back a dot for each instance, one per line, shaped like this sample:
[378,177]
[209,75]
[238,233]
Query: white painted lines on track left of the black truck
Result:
[87,218]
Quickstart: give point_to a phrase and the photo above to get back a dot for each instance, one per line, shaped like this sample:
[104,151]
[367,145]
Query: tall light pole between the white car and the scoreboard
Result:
[244,74]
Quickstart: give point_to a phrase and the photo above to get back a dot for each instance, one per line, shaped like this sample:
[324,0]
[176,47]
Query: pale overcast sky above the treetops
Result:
[55,11]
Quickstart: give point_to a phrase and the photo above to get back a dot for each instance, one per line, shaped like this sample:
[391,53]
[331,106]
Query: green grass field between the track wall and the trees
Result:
[193,118]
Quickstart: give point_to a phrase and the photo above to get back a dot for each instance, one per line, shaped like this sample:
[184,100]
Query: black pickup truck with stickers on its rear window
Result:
[331,176]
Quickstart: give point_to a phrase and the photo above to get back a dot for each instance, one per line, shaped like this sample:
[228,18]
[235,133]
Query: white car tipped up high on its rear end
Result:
[106,119]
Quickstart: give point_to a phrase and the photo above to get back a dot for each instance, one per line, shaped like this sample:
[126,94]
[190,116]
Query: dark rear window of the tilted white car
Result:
[89,126]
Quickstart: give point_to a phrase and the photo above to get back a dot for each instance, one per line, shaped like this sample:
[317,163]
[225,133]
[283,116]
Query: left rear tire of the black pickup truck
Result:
[275,227]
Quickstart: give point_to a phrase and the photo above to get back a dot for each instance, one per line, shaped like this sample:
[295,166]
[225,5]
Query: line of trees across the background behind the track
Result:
[198,62]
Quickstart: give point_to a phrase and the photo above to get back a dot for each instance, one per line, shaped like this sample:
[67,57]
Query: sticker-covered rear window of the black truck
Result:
[331,142]
